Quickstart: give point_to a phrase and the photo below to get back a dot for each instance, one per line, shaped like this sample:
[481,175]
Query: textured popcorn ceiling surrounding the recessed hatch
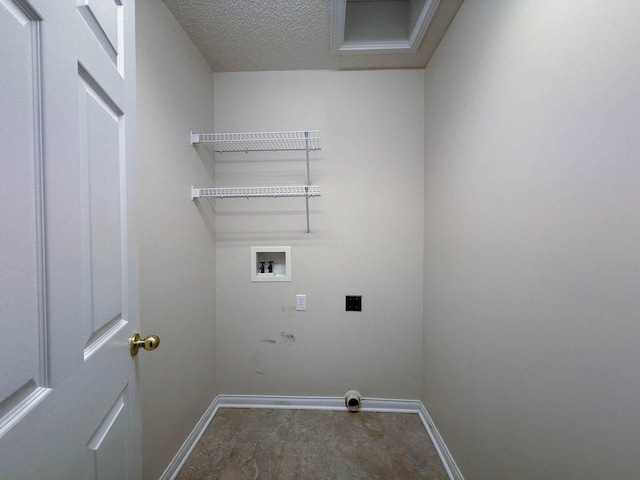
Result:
[250,35]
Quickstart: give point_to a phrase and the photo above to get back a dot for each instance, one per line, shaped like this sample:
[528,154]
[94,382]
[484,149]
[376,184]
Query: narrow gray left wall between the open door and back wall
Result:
[177,248]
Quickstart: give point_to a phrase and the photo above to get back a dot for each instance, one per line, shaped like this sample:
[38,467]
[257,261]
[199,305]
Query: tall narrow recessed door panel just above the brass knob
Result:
[99,131]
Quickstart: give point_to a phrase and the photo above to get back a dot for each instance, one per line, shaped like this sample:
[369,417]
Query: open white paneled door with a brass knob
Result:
[68,269]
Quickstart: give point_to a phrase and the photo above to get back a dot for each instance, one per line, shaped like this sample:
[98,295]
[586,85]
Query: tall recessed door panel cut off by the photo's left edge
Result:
[21,259]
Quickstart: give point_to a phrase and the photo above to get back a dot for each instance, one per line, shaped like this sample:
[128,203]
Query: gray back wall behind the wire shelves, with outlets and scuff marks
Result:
[366,235]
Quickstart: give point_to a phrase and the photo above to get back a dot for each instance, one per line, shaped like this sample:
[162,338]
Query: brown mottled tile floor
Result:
[312,445]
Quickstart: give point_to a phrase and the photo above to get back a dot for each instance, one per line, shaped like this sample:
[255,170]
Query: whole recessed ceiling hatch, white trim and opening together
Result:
[373,26]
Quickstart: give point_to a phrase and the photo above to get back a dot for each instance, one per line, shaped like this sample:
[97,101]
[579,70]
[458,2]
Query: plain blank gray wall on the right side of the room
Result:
[532,239]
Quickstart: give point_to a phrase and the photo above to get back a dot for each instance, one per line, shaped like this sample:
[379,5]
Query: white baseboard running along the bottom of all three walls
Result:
[311,403]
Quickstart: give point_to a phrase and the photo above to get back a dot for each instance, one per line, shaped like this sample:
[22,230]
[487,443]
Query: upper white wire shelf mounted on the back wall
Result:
[259,141]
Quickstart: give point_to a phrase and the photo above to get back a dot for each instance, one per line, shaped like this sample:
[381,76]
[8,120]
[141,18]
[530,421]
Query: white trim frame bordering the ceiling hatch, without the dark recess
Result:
[408,44]
